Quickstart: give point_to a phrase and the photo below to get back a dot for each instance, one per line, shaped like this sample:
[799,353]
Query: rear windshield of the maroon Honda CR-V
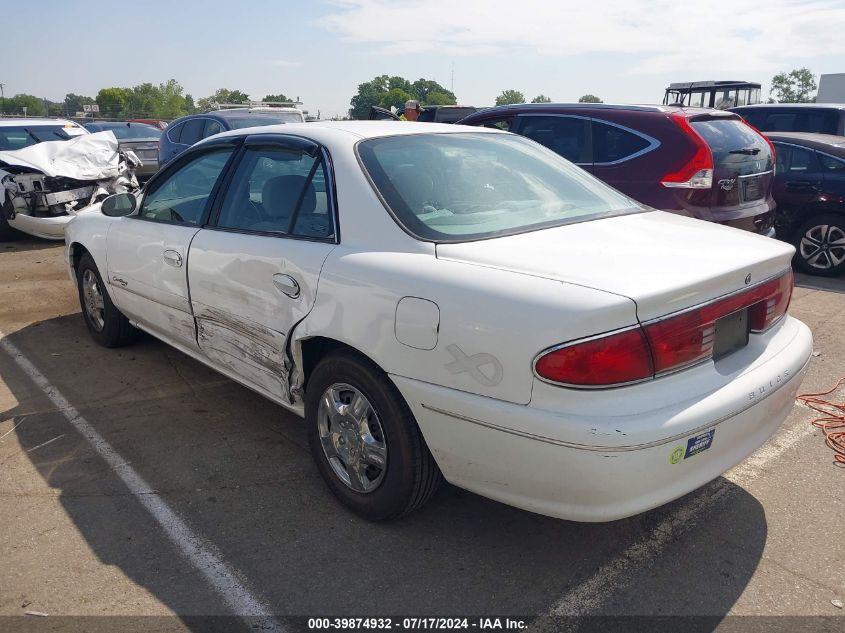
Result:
[735,144]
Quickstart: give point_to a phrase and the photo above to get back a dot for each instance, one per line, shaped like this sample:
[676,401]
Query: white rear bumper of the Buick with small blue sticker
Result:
[587,468]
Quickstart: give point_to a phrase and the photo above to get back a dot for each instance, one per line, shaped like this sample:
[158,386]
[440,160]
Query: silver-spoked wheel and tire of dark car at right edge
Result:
[820,246]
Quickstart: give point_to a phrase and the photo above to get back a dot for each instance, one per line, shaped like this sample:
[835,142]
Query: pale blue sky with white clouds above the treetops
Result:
[624,51]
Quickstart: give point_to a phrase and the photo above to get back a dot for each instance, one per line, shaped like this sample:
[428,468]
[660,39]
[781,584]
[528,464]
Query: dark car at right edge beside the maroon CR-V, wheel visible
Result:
[810,194]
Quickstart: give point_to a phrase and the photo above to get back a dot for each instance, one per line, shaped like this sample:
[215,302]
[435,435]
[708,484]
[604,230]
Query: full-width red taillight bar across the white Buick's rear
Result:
[663,345]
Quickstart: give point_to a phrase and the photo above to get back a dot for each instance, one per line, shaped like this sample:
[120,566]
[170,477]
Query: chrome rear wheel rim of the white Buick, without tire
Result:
[352,437]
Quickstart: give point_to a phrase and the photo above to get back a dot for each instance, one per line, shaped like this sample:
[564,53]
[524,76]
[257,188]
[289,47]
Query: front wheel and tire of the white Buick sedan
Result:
[104,321]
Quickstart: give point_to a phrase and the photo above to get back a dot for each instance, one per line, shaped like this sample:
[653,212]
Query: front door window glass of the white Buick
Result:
[182,197]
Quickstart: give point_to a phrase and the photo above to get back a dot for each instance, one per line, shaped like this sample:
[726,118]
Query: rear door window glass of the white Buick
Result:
[278,190]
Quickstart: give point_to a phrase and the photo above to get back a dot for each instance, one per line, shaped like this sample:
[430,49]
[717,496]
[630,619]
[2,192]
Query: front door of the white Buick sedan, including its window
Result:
[148,251]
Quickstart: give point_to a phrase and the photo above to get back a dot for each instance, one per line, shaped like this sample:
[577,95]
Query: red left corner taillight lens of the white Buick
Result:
[610,360]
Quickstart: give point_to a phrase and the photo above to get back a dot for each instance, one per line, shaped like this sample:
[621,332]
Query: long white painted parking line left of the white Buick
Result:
[201,555]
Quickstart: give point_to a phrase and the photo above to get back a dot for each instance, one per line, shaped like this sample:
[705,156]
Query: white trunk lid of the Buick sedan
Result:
[663,262]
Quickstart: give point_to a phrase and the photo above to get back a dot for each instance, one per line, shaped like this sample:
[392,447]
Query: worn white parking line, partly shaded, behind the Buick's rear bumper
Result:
[587,597]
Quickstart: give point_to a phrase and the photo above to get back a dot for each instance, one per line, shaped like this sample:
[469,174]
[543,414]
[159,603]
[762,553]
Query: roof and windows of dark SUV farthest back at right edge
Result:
[818,118]
